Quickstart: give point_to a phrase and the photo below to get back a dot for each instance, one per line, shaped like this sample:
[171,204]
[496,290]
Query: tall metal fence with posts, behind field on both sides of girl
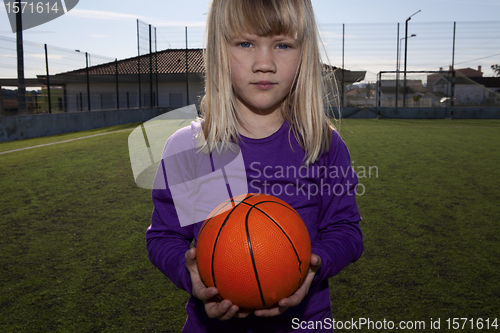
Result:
[372,54]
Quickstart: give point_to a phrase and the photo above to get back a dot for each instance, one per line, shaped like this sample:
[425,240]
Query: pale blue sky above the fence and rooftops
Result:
[108,28]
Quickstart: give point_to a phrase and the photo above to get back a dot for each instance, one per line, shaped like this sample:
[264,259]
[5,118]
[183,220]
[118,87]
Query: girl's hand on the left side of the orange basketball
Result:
[215,309]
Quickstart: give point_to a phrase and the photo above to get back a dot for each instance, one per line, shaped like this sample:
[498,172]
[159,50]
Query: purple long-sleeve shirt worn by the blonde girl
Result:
[322,193]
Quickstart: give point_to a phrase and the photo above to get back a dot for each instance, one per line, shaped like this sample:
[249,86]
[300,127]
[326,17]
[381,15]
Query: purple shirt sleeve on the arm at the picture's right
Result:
[340,239]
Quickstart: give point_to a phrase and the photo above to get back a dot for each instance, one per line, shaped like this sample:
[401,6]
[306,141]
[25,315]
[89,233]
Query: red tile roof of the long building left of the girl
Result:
[171,61]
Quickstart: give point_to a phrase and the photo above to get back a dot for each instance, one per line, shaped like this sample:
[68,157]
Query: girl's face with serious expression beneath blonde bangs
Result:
[263,71]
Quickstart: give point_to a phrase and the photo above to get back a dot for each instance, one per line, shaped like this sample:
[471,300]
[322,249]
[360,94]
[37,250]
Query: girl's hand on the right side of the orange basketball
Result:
[298,296]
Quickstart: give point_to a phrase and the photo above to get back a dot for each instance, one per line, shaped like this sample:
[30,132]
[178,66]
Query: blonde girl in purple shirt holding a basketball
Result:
[264,91]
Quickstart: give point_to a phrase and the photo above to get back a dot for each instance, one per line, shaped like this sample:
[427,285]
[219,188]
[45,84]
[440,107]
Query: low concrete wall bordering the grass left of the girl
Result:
[33,126]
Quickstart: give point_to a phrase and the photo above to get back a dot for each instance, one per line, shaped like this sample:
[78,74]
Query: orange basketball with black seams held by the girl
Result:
[255,249]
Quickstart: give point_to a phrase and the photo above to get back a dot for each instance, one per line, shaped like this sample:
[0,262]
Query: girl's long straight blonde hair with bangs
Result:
[304,108]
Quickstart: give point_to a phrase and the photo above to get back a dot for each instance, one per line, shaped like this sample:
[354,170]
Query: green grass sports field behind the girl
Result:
[72,225]
